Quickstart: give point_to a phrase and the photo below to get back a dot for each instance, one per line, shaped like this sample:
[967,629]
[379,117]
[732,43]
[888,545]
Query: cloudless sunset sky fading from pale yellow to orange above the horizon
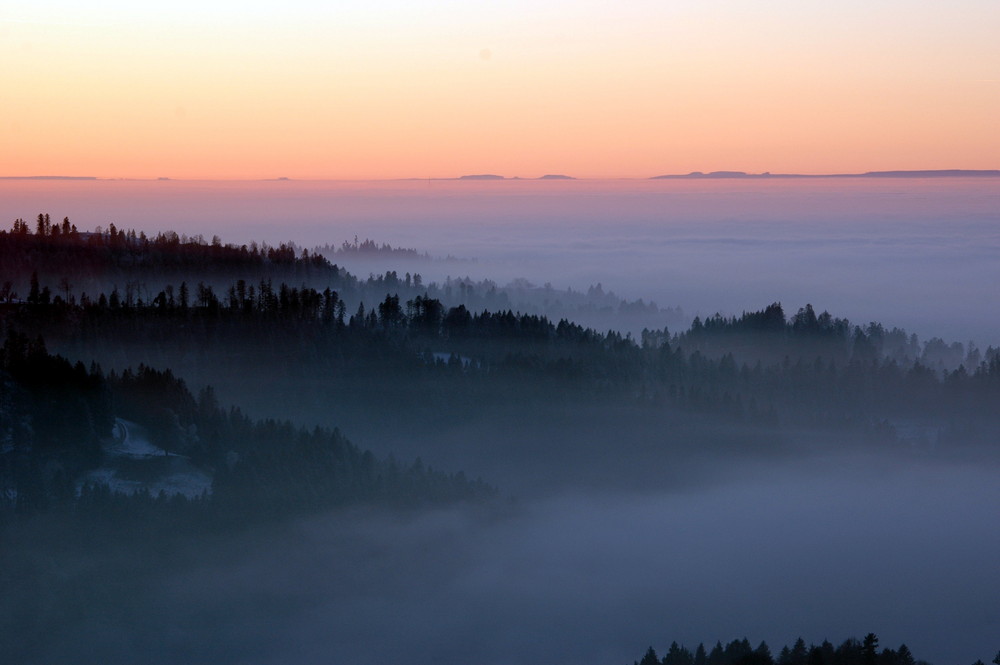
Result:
[387,89]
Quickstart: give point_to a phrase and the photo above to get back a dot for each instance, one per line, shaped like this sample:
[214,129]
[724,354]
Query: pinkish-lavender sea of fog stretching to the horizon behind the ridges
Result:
[916,253]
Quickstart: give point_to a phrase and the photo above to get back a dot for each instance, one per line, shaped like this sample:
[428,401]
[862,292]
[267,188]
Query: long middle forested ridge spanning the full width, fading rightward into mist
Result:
[763,367]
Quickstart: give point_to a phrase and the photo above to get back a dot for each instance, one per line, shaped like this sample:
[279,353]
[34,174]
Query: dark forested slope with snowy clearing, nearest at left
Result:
[57,450]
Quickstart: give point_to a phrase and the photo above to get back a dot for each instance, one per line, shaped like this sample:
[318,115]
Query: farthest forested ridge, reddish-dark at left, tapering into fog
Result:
[73,264]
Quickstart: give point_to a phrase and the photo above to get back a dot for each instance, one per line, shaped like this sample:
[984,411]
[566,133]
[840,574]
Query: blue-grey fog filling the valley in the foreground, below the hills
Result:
[829,547]
